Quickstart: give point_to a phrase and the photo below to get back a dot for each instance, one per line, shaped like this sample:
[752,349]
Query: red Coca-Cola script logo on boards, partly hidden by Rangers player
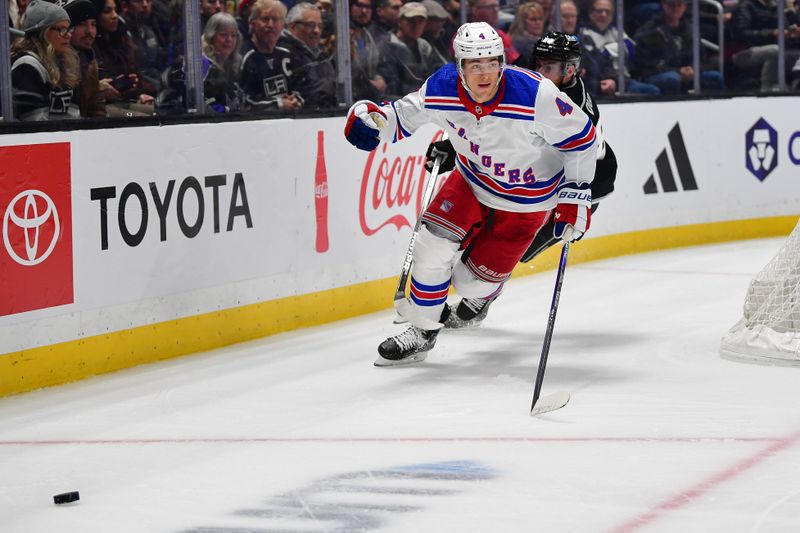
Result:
[391,183]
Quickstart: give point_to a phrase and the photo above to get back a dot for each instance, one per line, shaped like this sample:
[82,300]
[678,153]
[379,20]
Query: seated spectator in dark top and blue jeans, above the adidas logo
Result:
[664,52]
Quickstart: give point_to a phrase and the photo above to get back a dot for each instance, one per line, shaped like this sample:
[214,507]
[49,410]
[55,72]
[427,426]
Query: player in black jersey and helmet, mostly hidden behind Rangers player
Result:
[557,57]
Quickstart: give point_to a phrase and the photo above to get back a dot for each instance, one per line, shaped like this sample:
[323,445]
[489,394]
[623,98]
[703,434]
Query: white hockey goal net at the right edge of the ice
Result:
[769,331]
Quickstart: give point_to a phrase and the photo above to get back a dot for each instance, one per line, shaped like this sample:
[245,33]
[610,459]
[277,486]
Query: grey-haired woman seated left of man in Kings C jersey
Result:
[221,42]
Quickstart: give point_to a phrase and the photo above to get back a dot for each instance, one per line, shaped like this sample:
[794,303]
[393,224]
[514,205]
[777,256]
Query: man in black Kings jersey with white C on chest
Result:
[267,73]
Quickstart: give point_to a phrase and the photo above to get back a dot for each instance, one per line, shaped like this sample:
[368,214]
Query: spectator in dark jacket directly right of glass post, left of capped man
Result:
[368,84]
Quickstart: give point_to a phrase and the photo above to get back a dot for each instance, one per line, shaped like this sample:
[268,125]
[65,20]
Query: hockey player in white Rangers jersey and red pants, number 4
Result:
[523,149]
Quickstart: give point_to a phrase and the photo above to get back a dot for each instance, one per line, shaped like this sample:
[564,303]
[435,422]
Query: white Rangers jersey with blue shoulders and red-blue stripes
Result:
[516,150]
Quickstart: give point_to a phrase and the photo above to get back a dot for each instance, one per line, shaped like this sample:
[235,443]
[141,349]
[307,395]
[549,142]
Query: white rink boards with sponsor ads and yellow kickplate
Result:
[122,247]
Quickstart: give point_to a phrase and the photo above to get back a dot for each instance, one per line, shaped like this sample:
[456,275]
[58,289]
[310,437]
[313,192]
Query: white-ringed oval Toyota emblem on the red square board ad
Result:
[31,223]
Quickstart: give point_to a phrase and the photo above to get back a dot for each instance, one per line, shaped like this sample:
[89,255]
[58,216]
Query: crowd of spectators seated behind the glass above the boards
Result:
[122,58]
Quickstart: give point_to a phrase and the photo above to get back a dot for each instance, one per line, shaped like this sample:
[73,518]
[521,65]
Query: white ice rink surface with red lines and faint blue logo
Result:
[300,433]
